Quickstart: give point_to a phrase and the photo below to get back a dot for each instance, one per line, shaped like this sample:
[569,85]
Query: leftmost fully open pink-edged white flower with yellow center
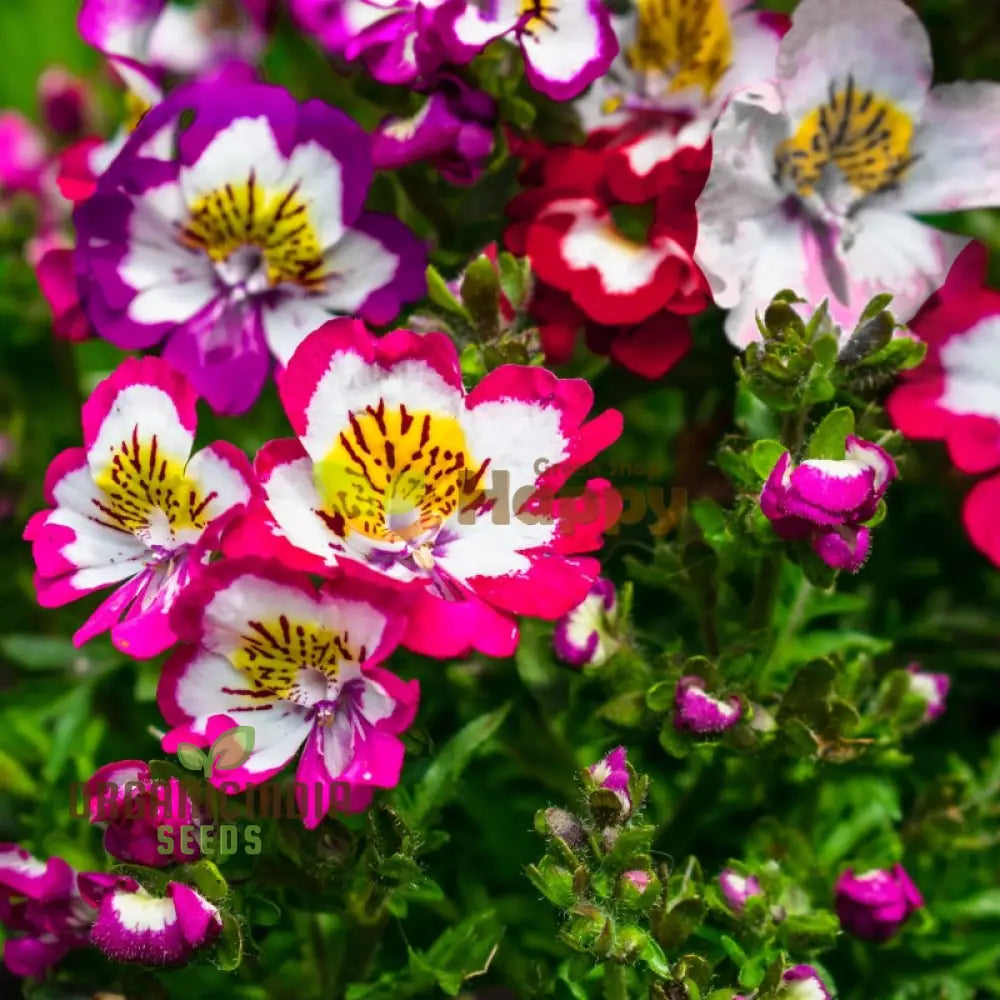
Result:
[134,507]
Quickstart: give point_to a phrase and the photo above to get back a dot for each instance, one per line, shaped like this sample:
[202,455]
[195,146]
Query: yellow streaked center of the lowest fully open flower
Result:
[272,655]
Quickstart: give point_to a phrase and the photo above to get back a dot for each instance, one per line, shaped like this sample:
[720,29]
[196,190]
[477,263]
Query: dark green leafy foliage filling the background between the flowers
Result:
[926,594]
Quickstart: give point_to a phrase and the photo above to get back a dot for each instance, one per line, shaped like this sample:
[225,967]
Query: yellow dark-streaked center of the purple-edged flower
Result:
[275,223]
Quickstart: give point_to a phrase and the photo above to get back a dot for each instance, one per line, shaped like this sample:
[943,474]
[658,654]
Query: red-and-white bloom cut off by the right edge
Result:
[954,395]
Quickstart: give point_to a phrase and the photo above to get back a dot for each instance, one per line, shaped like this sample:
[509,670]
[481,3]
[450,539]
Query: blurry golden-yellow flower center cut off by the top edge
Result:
[683,43]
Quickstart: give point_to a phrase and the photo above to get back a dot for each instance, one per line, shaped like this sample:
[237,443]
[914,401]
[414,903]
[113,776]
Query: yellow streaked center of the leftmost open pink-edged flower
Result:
[141,481]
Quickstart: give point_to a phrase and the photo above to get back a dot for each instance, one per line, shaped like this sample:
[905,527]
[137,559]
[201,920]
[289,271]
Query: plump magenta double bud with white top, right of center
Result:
[827,501]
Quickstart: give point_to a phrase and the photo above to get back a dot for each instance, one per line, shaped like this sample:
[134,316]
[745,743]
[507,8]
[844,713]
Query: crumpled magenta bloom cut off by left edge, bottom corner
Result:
[42,910]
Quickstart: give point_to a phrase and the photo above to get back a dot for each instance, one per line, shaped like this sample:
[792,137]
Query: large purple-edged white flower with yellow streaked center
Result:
[243,240]
